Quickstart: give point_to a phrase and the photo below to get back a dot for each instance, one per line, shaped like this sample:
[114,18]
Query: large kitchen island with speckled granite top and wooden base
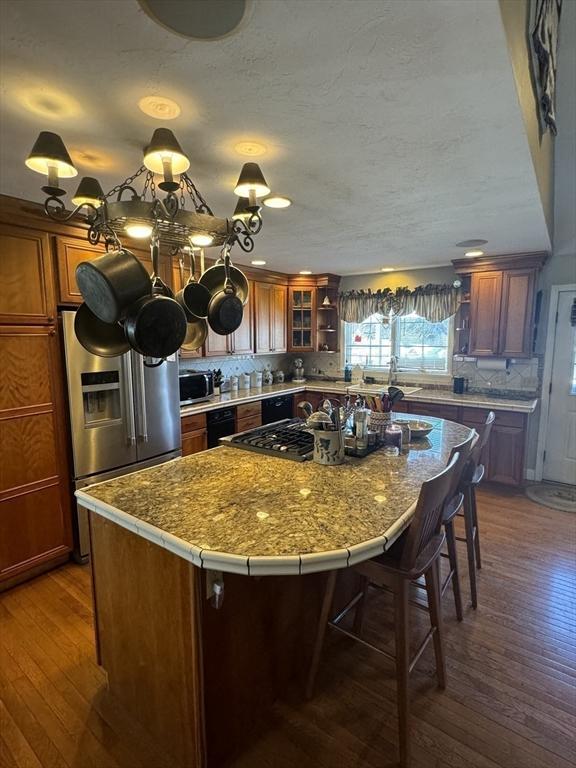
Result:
[201,679]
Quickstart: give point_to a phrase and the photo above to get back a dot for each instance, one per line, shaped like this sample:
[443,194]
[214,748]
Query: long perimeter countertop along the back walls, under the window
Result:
[340,387]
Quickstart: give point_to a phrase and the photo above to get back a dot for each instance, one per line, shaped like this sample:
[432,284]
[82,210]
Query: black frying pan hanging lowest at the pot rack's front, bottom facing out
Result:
[156,325]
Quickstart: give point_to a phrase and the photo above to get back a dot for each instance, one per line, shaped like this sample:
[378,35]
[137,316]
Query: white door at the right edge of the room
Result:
[560,456]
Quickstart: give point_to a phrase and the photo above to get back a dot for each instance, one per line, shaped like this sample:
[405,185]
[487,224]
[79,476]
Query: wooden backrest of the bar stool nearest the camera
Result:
[427,520]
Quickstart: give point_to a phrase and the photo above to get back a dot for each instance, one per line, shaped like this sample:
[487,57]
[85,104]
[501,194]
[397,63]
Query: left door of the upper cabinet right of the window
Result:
[485,300]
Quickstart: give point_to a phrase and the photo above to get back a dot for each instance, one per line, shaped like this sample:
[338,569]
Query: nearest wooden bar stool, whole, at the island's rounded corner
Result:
[415,554]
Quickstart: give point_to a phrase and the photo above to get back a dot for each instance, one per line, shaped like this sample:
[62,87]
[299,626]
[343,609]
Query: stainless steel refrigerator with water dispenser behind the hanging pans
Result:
[124,416]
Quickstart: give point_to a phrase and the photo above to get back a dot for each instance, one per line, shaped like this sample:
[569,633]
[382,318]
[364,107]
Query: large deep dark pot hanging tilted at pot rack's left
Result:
[111,283]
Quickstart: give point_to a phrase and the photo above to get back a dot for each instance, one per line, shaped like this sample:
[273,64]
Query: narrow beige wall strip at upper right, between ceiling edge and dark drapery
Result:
[516,20]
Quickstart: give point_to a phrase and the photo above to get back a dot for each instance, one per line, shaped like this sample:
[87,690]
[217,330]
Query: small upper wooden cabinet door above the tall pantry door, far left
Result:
[27,295]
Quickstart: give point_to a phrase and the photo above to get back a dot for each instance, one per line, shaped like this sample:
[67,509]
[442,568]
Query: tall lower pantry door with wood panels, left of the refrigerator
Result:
[35,516]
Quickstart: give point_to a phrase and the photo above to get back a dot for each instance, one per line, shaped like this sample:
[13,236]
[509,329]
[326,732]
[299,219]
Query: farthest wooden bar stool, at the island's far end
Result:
[472,477]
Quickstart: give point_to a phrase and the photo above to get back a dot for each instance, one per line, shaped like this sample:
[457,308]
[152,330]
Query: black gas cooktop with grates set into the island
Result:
[287,439]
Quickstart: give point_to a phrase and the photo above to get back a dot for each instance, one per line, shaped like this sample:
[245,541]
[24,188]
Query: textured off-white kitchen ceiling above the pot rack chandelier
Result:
[394,126]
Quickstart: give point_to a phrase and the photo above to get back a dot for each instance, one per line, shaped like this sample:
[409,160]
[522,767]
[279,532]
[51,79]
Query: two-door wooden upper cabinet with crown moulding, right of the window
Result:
[502,293]
